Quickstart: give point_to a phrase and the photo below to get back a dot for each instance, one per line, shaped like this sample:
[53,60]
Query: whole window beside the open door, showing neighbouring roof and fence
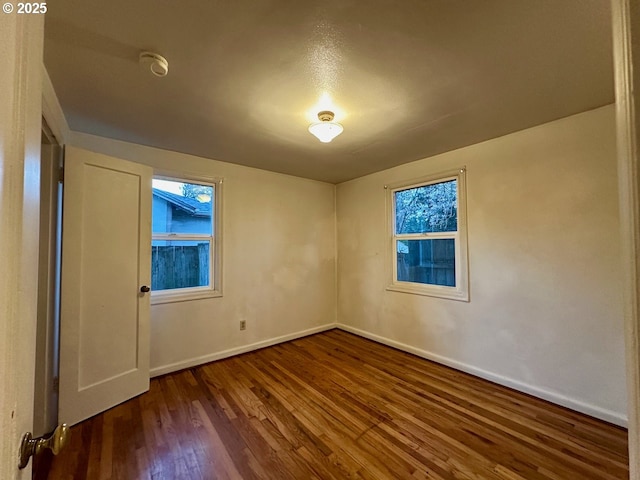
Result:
[185,260]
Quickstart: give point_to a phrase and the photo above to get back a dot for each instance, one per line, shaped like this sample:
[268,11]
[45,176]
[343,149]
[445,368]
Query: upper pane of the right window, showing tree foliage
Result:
[430,208]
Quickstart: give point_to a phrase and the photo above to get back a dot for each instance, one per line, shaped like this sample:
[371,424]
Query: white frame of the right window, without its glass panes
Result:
[461,290]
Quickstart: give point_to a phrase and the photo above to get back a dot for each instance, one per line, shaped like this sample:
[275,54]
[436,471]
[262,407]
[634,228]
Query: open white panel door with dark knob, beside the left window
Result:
[106,255]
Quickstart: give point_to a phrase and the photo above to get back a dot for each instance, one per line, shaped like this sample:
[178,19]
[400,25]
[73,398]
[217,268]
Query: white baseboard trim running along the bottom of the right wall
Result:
[554,397]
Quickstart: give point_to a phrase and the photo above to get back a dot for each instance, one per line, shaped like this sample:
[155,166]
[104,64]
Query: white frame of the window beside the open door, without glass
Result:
[214,289]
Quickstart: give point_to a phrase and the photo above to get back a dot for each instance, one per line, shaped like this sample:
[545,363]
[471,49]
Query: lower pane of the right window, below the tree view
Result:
[427,261]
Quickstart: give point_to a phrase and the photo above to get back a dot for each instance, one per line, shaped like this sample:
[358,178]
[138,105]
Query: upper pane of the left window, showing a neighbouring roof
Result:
[182,207]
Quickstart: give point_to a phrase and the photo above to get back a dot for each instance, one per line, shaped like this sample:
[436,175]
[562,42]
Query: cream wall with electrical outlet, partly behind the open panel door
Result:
[278,261]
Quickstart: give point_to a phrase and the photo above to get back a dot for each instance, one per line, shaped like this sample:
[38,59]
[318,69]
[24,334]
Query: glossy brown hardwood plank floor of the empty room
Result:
[334,405]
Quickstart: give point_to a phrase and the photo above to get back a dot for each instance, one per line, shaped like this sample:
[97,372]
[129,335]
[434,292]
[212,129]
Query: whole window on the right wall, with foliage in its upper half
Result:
[429,236]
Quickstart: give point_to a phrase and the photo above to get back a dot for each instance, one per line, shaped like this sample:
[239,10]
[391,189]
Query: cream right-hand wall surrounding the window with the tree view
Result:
[545,312]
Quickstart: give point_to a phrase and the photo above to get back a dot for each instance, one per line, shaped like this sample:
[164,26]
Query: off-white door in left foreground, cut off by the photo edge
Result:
[20,86]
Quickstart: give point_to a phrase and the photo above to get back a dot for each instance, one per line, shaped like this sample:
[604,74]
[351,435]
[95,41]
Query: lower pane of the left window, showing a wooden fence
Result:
[179,264]
